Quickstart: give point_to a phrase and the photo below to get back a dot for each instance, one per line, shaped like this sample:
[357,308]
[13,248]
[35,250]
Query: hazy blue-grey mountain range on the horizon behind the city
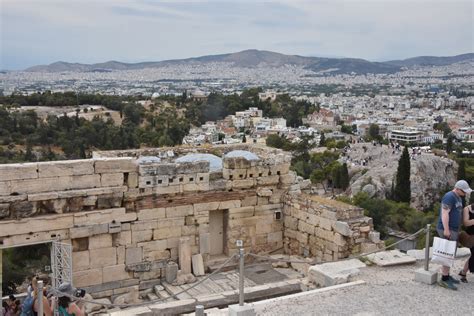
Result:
[253,58]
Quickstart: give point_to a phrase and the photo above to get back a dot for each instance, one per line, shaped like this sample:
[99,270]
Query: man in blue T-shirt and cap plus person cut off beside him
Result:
[452,215]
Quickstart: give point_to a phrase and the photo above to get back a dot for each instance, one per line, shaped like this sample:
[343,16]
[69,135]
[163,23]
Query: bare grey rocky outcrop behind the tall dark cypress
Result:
[430,175]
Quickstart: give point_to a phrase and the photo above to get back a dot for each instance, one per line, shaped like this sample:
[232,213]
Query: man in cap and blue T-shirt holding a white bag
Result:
[449,223]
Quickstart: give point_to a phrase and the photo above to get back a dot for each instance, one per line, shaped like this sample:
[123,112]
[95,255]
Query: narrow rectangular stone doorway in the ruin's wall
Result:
[217,232]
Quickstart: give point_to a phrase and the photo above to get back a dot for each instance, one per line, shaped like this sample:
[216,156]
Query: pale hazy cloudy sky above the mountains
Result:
[88,31]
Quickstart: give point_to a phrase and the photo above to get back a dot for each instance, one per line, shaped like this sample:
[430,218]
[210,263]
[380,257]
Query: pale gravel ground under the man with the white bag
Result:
[387,291]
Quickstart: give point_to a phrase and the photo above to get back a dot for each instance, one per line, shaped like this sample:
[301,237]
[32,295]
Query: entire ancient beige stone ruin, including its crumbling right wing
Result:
[134,217]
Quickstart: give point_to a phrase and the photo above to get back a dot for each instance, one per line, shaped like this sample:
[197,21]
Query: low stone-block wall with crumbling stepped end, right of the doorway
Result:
[326,229]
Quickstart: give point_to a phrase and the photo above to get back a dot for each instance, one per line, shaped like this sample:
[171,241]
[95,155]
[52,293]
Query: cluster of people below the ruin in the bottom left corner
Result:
[60,299]
